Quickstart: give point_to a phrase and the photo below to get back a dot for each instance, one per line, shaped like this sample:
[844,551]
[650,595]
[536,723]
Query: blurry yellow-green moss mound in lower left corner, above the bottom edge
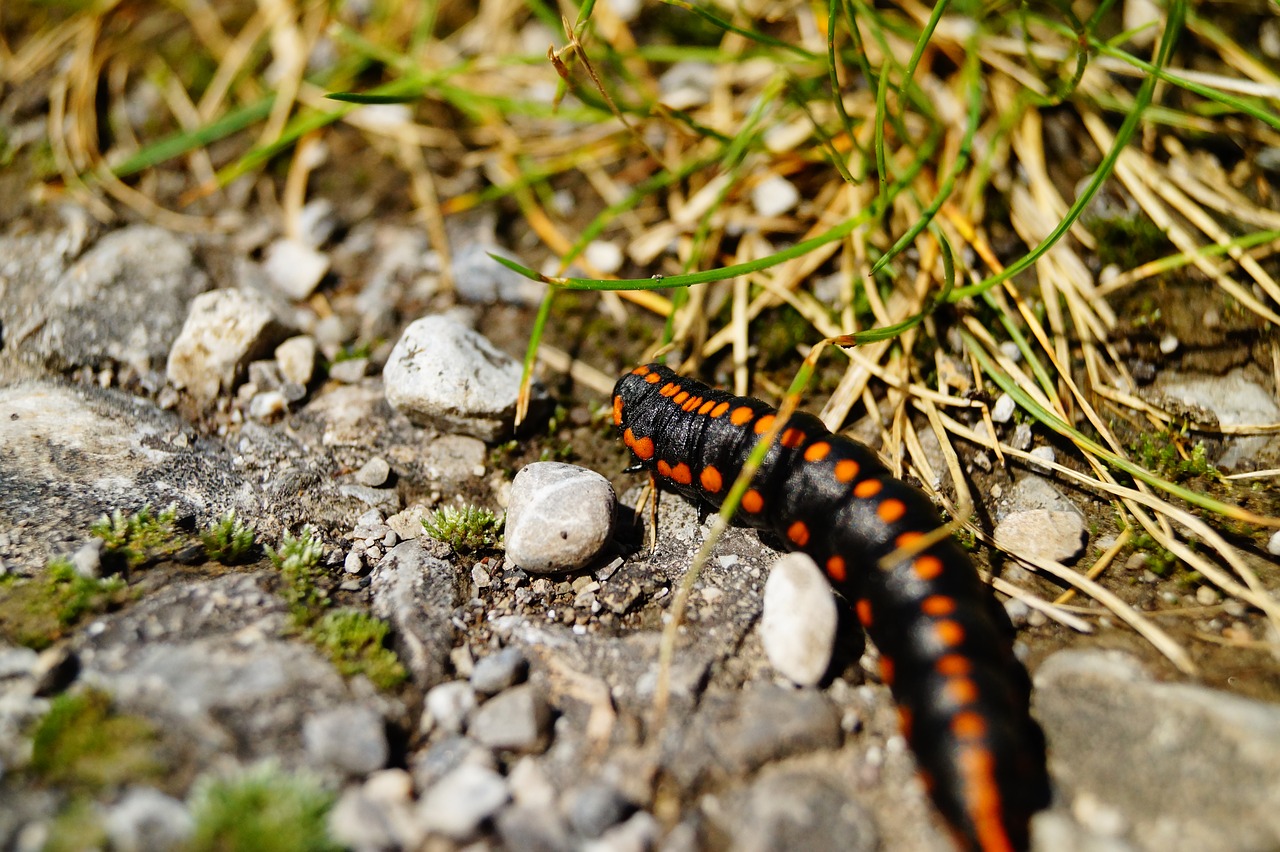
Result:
[83,744]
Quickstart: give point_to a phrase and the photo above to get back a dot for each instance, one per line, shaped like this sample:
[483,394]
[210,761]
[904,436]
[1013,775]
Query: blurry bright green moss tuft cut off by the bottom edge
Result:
[264,809]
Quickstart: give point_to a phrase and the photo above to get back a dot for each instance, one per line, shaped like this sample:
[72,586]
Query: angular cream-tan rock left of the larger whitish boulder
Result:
[225,332]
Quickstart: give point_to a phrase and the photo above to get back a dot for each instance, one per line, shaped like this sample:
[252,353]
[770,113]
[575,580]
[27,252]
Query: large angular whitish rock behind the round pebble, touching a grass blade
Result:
[444,374]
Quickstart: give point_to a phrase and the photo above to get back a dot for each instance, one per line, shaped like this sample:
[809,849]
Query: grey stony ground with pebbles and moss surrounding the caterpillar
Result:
[141,368]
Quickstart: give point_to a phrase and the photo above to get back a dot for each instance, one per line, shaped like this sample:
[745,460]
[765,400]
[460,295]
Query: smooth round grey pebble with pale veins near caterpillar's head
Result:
[560,517]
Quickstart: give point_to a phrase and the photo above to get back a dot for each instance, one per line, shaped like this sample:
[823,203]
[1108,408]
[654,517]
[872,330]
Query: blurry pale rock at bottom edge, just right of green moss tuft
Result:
[378,816]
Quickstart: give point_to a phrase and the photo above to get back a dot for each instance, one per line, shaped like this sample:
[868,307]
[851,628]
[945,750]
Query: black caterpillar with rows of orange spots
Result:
[945,643]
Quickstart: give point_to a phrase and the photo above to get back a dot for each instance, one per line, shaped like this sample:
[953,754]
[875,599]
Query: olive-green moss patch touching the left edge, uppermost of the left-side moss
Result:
[38,612]
